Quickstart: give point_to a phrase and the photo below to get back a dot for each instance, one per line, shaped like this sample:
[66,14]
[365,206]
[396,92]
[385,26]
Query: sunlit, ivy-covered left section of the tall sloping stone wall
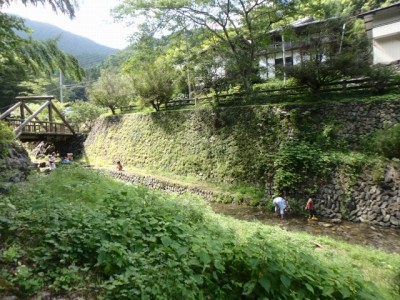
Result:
[222,145]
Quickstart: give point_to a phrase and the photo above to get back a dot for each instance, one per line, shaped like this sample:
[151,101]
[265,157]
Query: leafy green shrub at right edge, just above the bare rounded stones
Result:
[385,142]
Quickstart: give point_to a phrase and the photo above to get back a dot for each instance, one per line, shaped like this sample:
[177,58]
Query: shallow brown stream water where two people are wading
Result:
[387,239]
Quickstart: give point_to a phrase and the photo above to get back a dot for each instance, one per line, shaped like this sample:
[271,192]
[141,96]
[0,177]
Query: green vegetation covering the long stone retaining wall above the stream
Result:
[292,146]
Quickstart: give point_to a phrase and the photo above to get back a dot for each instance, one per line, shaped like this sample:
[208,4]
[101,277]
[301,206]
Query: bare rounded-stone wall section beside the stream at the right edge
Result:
[366,200]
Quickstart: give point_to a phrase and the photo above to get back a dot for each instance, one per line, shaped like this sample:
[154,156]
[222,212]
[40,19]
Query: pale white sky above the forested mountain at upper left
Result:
[92,20]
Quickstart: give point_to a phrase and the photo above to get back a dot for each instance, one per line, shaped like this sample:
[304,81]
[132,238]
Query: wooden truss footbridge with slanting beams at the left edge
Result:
[27,125]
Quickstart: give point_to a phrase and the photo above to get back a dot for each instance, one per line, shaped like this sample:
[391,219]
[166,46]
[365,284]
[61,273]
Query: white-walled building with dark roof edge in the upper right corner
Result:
[383,29]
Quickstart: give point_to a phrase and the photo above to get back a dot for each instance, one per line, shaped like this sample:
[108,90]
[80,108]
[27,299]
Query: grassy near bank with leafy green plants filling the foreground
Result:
[75,233]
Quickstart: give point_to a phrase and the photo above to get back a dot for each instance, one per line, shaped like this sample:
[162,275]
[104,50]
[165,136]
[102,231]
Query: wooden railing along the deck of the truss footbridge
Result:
[41,127]
